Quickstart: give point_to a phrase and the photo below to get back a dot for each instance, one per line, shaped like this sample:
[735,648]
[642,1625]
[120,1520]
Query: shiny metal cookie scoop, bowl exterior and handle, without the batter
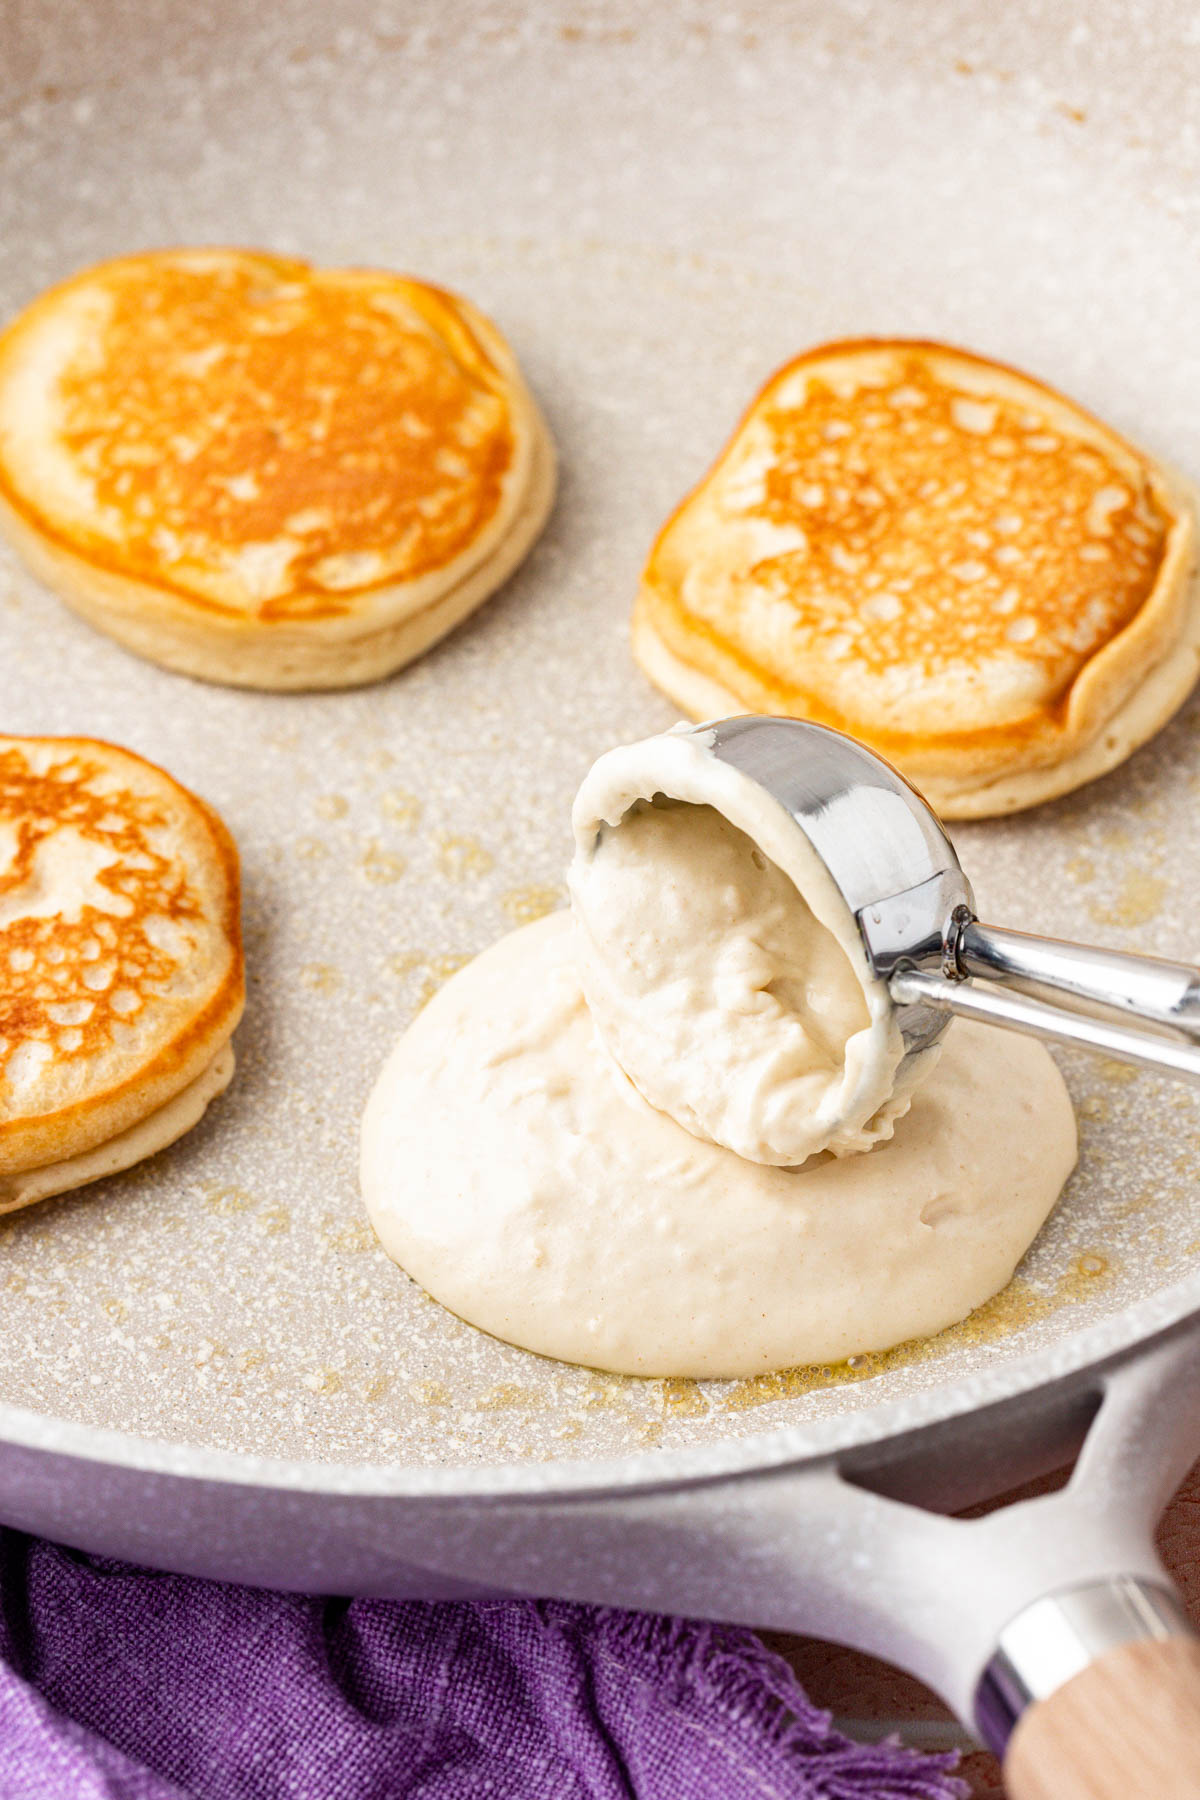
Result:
[902,879]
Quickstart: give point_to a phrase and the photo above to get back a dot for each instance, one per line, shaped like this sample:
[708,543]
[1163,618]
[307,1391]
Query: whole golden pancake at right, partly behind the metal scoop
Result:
[940,557]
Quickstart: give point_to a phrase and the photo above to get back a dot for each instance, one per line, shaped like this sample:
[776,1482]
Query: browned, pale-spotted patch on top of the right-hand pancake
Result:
[945,528]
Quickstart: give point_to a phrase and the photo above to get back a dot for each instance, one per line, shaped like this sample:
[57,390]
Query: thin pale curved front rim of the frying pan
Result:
[798,1444]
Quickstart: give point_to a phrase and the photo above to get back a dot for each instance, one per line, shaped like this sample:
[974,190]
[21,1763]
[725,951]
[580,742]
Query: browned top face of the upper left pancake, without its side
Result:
[262,436]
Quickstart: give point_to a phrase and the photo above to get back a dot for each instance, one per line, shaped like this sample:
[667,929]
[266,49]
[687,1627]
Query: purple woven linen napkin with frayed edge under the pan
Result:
[120,1684]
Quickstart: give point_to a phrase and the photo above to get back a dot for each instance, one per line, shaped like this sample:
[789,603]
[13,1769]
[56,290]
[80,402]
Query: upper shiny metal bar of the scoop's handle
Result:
[1131,987]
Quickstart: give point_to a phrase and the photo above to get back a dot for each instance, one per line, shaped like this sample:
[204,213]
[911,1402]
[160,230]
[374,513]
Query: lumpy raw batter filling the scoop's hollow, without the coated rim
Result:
[713,985]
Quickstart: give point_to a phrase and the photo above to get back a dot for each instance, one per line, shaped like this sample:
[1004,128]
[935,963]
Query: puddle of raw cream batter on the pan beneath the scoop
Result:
[515,1173]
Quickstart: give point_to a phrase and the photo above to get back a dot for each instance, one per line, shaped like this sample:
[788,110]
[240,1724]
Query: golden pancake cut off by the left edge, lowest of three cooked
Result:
[121,975]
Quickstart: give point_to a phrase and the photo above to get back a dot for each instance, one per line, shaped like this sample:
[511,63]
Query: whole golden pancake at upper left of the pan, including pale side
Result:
[267,474]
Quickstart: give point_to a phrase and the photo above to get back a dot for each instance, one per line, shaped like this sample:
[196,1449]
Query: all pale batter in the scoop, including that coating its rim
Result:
[721,964]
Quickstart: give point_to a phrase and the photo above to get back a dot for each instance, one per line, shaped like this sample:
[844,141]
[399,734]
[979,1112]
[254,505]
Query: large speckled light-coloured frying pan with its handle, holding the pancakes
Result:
[210,1365]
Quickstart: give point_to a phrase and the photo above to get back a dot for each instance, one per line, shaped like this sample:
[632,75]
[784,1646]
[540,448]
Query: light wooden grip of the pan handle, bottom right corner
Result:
[1125,1729]
